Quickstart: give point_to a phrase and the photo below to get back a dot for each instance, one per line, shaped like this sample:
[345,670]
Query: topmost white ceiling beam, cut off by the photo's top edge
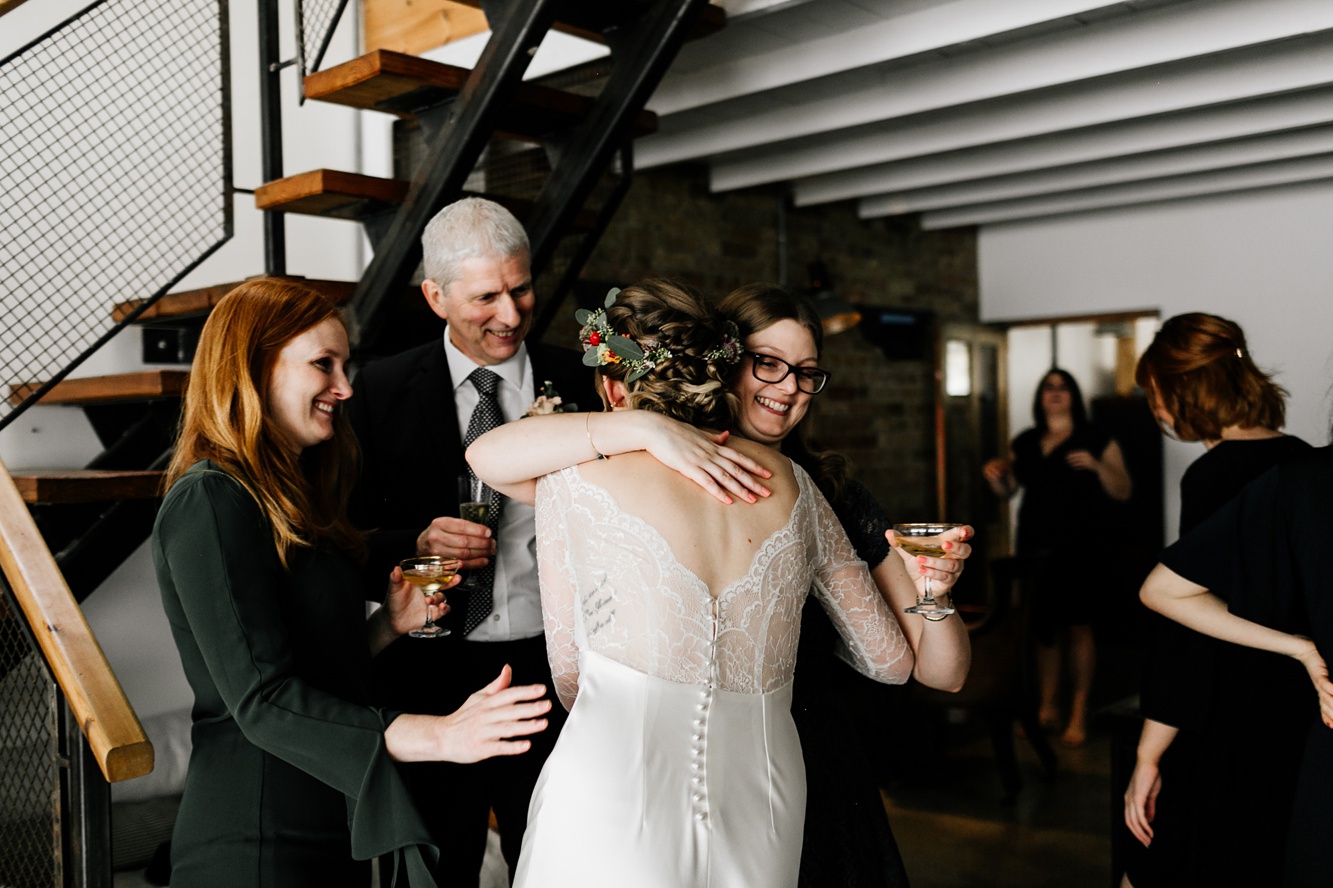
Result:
[939,27]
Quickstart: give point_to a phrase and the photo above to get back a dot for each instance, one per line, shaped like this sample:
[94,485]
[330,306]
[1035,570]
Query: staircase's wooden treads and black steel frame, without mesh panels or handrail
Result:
[97,515]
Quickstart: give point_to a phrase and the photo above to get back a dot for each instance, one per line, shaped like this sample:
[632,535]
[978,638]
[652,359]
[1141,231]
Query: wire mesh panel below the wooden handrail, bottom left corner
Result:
[30,759]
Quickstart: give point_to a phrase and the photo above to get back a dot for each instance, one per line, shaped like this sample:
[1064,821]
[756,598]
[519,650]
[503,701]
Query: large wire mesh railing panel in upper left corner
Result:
[115,177]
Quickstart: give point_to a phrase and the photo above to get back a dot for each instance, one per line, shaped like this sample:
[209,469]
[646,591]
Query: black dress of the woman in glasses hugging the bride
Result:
[848,842]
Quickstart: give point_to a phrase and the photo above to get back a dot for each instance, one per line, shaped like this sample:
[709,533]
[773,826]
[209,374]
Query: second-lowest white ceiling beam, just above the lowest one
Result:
[1246,153]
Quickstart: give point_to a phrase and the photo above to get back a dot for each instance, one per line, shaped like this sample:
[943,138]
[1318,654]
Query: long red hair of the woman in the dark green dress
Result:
[226,418]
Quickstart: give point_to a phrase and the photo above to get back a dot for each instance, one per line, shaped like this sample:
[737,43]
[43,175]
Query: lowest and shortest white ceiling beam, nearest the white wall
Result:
[1215,183]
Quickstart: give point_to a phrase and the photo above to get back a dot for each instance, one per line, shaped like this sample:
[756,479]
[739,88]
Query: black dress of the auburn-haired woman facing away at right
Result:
[1231,705]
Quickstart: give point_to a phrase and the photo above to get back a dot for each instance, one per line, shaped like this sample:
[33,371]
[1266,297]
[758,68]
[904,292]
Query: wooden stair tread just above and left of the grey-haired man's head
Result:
[343,195]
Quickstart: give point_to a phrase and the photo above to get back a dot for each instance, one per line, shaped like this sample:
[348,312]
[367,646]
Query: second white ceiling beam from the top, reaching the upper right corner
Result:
[1154,38]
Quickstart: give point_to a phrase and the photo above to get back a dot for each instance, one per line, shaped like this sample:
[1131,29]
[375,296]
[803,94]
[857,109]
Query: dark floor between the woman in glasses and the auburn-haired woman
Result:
[951,822]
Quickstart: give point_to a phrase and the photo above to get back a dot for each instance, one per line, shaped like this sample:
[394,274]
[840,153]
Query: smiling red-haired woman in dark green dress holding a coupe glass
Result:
[293,774]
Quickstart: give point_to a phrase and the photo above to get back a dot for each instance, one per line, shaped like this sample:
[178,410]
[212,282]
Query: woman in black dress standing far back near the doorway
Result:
[1068,473]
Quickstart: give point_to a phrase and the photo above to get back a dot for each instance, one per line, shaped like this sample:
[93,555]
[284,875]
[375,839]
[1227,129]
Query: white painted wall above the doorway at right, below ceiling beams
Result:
[1260,258]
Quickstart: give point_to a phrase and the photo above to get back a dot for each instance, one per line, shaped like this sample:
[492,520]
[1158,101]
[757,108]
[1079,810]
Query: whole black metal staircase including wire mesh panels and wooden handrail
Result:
[97,237]
